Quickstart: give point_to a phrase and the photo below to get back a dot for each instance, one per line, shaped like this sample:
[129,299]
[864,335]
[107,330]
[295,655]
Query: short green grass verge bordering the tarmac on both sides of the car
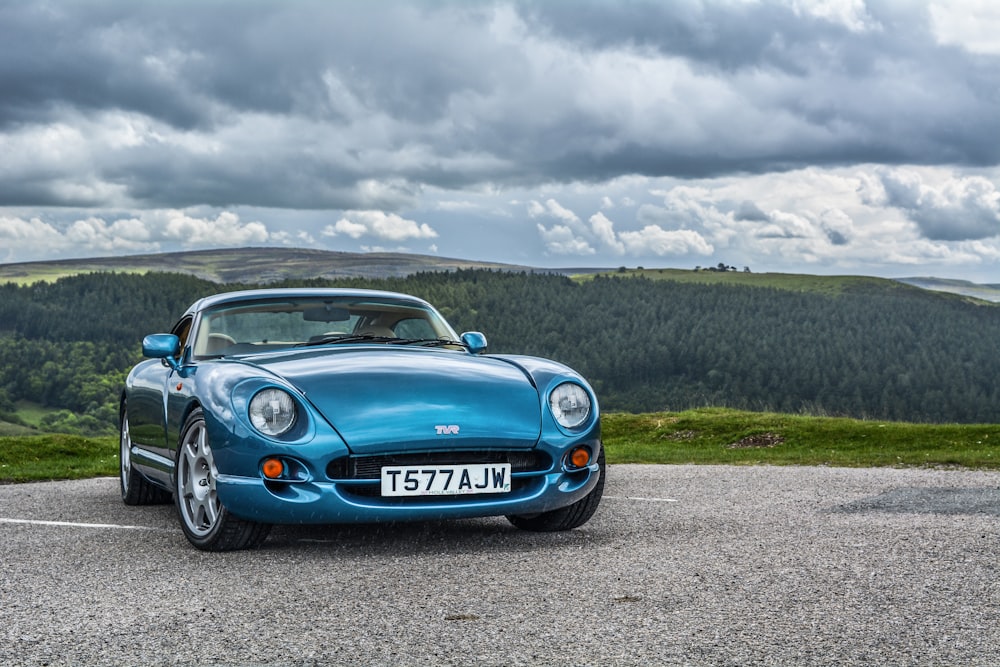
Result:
[708,436]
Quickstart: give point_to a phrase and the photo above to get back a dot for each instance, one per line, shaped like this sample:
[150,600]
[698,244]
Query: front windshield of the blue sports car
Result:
[247,328]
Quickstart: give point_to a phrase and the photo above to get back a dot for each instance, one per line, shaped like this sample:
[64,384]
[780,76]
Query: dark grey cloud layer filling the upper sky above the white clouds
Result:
[301,104]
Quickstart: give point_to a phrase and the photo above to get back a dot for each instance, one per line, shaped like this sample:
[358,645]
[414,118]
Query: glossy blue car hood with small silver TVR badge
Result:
[398,399]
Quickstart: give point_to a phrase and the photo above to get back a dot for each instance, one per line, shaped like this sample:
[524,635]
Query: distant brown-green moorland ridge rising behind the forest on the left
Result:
[252,265]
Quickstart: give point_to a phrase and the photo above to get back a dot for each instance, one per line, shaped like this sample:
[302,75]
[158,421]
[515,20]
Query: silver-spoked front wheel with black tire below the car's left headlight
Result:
[206,522]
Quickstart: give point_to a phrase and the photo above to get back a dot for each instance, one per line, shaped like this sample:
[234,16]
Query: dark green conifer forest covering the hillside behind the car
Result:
[887,353]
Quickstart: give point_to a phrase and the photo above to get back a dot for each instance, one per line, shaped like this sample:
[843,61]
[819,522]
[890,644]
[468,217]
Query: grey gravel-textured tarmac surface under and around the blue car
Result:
[682,565]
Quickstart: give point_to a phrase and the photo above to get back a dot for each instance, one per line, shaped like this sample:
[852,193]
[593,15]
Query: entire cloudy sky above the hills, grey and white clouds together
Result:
[815,136]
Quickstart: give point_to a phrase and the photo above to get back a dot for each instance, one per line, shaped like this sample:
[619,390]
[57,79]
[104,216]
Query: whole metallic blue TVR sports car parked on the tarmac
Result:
[319,406]
